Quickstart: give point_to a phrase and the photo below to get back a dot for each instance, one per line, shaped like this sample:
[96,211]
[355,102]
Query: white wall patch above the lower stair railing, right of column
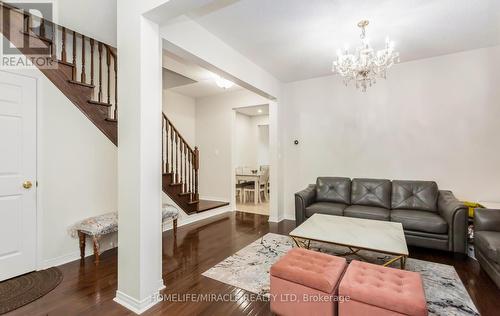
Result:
[180,109]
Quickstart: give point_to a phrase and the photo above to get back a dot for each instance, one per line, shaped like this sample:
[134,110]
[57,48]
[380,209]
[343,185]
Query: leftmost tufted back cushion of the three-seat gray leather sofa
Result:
[333,189]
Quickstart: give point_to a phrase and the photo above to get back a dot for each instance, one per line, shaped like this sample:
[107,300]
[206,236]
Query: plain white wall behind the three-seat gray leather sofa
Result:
[433,119]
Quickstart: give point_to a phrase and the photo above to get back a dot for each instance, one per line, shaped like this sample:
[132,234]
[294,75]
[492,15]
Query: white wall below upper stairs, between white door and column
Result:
[77,173]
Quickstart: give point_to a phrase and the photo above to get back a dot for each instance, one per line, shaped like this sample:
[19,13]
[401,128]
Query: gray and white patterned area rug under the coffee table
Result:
[248,269]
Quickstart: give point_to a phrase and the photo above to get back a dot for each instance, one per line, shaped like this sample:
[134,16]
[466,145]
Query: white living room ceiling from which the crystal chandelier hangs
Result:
[298,39]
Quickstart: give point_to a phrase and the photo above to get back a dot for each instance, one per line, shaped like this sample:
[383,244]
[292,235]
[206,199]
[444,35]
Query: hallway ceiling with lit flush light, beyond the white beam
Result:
[189,79]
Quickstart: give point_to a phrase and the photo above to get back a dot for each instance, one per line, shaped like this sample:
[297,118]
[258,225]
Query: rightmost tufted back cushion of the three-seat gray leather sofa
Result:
[417,195]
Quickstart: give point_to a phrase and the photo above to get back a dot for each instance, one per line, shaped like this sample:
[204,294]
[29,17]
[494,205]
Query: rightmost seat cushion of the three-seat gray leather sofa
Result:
[422,221]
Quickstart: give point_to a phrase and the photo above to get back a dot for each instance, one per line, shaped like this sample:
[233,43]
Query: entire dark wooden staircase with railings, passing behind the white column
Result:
[85,71]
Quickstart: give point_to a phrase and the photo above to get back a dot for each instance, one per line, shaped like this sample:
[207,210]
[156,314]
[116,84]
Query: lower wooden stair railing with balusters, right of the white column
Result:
[180,160]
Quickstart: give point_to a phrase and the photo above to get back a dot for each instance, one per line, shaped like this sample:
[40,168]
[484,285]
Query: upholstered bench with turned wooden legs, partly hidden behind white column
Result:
[97,226]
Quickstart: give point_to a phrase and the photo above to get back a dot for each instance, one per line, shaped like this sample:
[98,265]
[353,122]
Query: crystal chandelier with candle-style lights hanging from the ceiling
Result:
[365,65]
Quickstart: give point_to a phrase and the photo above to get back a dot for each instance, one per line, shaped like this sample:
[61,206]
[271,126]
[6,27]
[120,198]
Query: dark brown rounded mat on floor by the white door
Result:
[26,288]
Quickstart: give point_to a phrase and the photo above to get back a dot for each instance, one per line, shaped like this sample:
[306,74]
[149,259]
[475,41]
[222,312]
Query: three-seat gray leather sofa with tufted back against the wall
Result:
[431,218]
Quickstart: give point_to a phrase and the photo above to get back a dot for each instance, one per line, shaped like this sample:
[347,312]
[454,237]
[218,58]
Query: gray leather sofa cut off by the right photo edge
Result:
[487,241]
